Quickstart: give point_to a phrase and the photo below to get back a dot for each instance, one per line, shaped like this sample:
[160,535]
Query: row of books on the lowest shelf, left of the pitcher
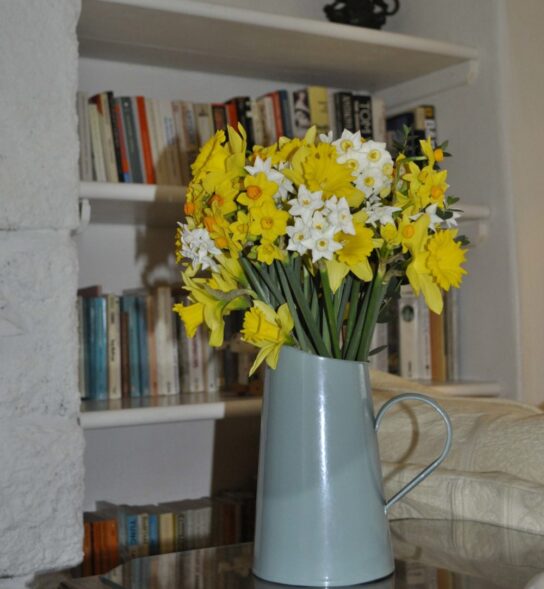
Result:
[117,533]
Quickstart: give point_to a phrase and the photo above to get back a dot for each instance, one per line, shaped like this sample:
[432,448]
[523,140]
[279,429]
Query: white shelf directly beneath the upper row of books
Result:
[145,204]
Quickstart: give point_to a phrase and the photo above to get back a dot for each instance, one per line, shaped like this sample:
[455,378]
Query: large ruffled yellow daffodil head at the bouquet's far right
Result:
[445,259]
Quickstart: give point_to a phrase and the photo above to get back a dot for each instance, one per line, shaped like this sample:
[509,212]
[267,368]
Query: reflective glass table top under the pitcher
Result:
[429,554]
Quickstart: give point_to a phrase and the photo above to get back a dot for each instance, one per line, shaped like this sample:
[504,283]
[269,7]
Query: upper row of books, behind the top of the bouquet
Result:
[154,141]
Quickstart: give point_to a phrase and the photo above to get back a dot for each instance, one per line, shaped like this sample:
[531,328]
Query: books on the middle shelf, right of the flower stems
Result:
[417,343]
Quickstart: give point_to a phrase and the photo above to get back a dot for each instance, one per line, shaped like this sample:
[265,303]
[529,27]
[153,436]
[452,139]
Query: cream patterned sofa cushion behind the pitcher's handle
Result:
[494,472]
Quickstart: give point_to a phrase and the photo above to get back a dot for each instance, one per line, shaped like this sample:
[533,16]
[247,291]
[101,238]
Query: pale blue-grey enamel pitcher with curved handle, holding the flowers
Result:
[321,512]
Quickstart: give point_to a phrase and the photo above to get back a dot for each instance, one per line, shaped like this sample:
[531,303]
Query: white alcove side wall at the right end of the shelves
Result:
[472,118]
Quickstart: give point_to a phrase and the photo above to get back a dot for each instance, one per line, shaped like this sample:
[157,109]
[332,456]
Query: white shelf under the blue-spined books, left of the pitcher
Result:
[155,410]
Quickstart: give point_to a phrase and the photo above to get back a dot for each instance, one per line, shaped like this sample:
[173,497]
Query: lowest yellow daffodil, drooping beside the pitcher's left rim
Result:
[268,330]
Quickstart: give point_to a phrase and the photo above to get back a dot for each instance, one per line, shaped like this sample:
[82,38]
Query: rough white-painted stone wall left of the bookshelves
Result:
[41,443]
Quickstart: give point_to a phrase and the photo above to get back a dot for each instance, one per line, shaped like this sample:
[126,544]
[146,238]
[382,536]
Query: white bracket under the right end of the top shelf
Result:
[412,93]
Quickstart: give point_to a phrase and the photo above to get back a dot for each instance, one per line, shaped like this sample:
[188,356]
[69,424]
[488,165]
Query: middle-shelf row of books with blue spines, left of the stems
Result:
[133,345]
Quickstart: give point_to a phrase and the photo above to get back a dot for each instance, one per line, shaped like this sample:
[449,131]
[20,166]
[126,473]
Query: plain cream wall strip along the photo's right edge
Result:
[523,85]
